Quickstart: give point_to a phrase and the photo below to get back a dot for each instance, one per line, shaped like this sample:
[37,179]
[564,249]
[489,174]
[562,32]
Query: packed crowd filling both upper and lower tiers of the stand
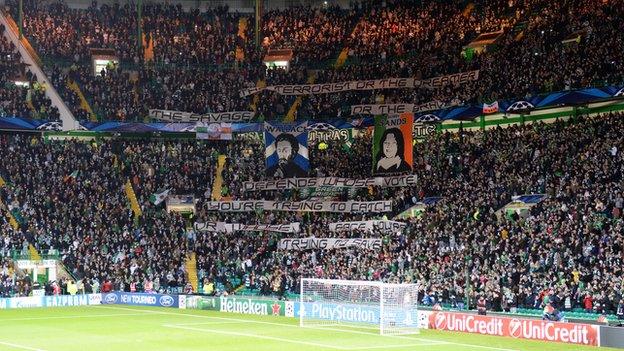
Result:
[69,196]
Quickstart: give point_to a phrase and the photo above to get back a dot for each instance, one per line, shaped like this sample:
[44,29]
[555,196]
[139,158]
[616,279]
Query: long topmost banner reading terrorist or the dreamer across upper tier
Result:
[374,84]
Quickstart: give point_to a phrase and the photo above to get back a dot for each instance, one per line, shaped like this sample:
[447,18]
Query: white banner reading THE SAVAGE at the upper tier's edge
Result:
[189,117]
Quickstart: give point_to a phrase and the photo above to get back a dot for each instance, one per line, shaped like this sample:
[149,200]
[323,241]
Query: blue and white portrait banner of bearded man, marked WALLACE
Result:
[286,150]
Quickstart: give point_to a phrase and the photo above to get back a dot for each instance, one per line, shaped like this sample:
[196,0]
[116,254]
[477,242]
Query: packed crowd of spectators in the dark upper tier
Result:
[398,39]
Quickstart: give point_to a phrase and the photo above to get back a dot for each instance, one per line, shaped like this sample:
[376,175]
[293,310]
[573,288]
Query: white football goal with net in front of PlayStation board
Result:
[389,308]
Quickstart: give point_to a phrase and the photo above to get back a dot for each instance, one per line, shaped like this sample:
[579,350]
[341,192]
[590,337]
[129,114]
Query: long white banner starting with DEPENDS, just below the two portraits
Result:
[298,183]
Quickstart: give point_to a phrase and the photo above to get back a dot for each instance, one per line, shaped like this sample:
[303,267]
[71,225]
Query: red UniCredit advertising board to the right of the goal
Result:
[519,328]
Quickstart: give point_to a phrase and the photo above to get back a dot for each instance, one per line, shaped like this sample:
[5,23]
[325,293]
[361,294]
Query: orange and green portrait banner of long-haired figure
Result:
[392,144]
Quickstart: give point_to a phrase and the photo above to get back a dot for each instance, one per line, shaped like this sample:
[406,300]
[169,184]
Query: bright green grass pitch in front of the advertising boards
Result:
[99,328]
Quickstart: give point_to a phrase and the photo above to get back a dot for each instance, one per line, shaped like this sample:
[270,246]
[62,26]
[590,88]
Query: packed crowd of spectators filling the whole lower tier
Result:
[566,250]
